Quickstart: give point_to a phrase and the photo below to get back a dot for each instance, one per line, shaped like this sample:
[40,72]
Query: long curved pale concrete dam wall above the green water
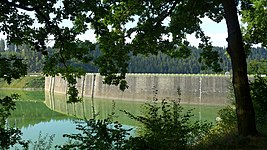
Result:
[195,89]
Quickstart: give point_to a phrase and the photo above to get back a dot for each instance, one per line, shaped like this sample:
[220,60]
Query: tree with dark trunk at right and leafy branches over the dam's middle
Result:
[185,18]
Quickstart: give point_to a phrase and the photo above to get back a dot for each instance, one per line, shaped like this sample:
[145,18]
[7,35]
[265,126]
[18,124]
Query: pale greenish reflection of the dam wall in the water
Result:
[104,107]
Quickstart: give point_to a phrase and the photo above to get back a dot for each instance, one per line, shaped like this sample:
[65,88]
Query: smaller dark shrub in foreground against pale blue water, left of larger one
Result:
[98,135]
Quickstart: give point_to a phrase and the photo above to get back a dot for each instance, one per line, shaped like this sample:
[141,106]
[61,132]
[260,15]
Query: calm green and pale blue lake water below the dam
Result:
[43,113]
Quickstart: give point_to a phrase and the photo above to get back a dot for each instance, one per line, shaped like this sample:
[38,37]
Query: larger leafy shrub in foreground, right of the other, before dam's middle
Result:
[166,126]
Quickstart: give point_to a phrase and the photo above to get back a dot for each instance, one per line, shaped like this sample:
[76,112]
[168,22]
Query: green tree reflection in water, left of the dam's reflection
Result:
[30,109]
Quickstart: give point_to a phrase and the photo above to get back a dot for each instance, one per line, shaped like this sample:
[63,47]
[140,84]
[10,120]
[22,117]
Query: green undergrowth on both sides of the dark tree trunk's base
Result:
[224,134]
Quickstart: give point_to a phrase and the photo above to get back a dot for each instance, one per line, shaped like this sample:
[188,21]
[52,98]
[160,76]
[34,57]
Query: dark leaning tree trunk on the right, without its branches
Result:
[244,107]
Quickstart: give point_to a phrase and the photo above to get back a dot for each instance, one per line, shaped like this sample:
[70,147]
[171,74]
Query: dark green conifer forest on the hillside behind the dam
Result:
[160,63]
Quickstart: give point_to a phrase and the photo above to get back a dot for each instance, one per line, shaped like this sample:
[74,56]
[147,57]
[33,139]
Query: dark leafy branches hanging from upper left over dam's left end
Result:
[19,27]
